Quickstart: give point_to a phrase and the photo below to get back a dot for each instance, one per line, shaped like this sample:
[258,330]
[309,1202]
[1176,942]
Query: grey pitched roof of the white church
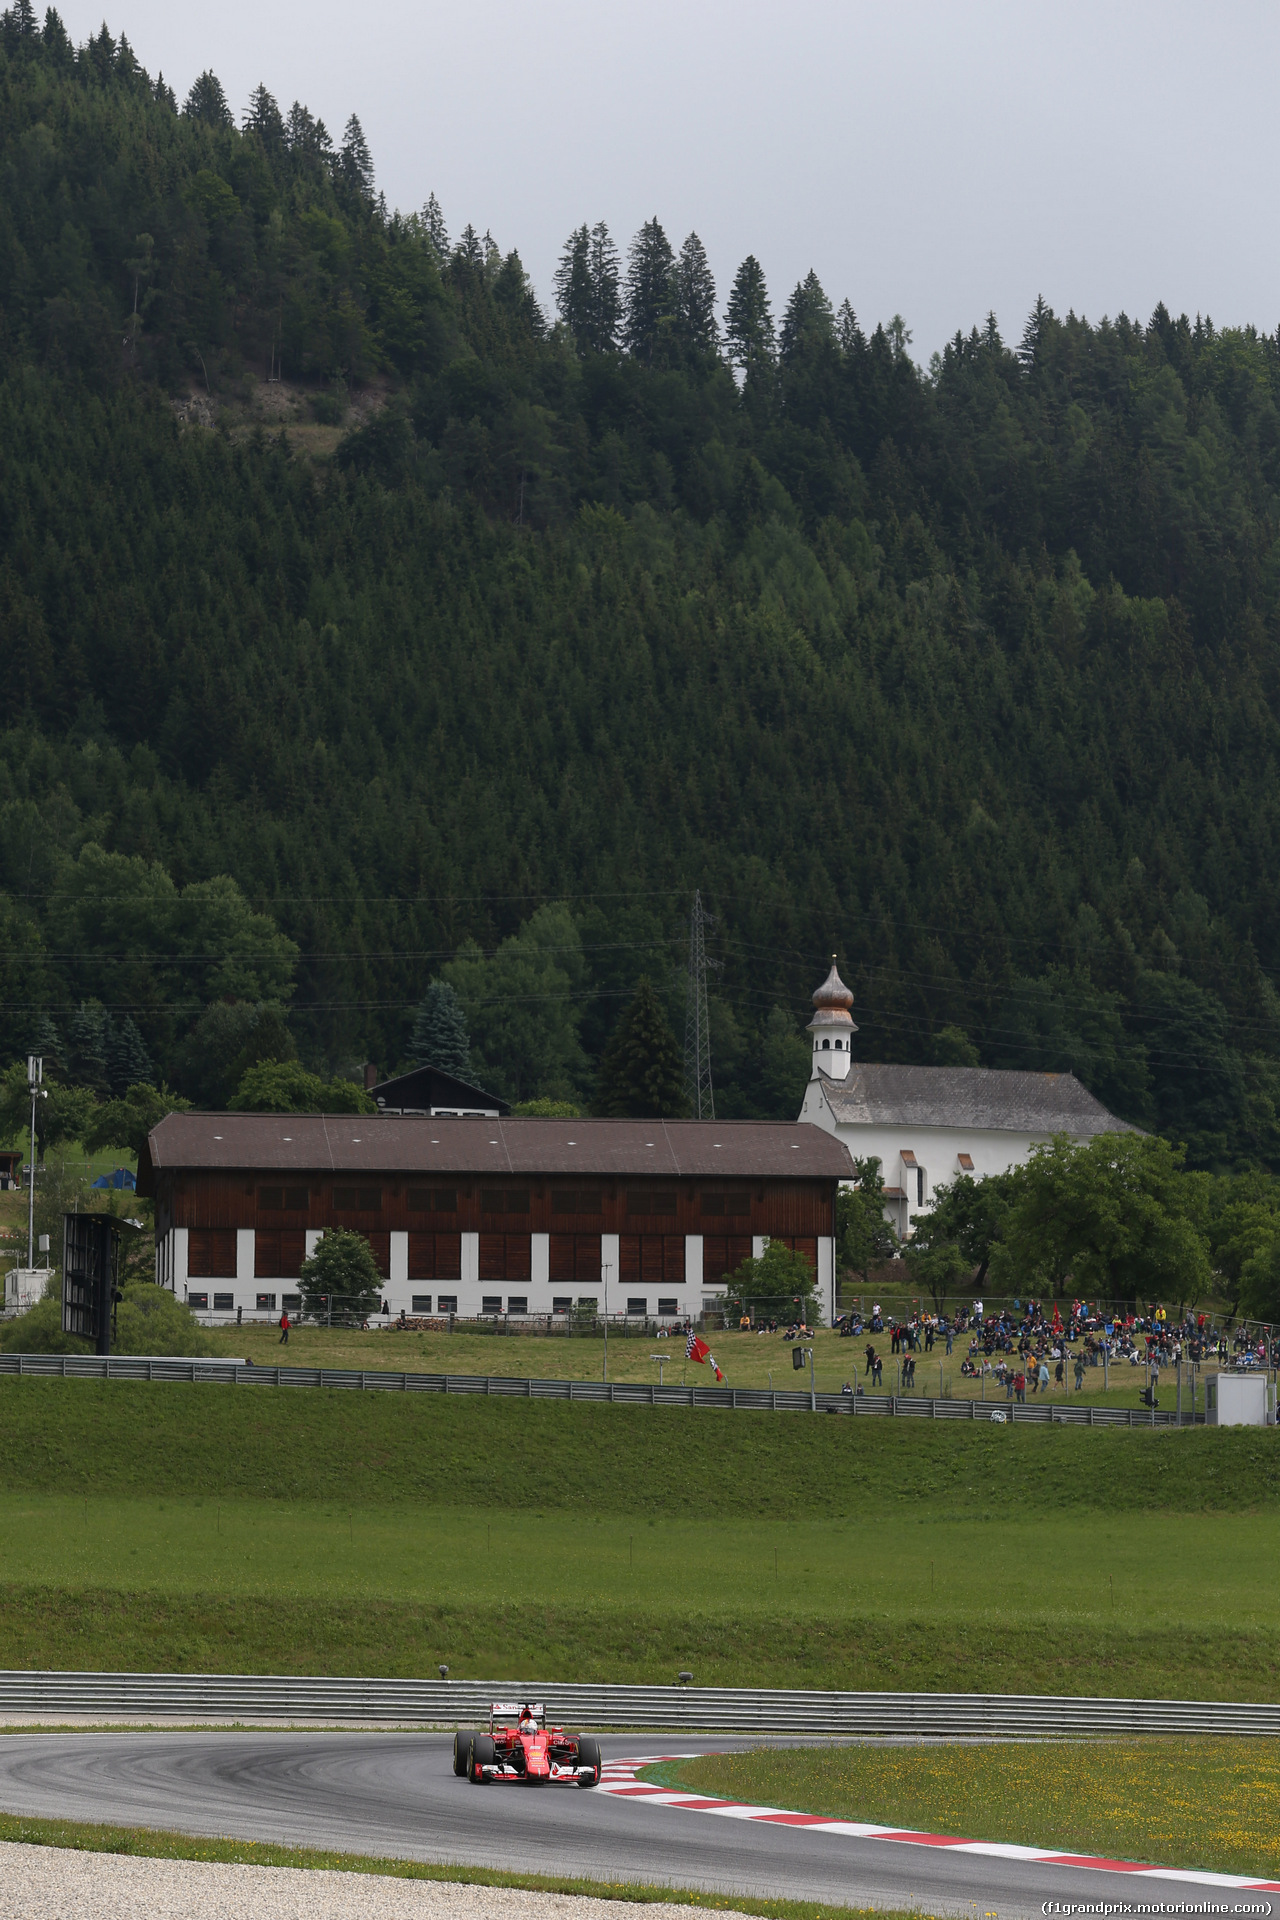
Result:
[970,1099]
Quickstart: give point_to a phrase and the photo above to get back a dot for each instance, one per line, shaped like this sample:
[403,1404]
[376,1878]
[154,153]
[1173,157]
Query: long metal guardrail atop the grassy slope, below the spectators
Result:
[621,1393]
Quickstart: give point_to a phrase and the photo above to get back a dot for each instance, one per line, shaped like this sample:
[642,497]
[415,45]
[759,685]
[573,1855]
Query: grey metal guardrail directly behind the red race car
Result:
[684,1710]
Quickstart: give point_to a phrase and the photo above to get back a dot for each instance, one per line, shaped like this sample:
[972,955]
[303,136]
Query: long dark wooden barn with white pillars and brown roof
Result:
[486,1216]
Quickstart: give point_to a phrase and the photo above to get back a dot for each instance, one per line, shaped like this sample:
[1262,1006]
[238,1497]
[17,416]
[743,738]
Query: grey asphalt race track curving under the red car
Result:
[396,1794]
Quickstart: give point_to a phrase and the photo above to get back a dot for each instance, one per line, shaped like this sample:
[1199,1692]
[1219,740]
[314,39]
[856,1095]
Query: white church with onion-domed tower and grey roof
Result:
[926,1126]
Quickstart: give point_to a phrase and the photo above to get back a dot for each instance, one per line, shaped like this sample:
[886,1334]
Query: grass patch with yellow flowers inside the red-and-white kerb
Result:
[1200,1804]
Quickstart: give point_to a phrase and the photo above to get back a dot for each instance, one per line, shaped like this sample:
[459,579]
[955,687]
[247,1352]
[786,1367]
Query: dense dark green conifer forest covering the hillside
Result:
[523,621]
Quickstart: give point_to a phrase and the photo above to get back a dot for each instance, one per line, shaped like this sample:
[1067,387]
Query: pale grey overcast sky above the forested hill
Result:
[932,158]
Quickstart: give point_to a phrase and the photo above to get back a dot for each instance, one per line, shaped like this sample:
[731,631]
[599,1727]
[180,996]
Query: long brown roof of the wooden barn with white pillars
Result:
[394,1143]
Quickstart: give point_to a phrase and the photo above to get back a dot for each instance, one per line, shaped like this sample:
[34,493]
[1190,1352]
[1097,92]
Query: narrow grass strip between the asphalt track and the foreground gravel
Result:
[154,1844]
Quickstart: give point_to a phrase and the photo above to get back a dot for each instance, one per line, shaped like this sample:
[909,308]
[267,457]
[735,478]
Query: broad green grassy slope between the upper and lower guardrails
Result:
[151,1527]
